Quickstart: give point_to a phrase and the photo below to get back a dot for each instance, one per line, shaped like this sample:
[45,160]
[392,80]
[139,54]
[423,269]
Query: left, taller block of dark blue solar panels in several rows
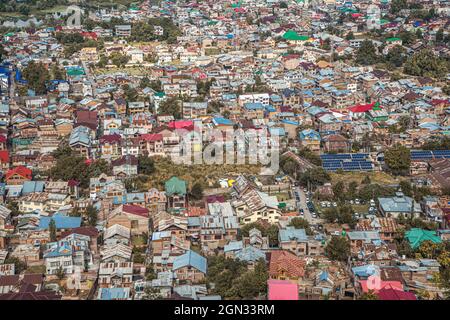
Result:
[347,162]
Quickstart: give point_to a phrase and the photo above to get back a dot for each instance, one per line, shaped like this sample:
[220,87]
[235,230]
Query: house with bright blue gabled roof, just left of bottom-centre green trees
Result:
[190,267]
